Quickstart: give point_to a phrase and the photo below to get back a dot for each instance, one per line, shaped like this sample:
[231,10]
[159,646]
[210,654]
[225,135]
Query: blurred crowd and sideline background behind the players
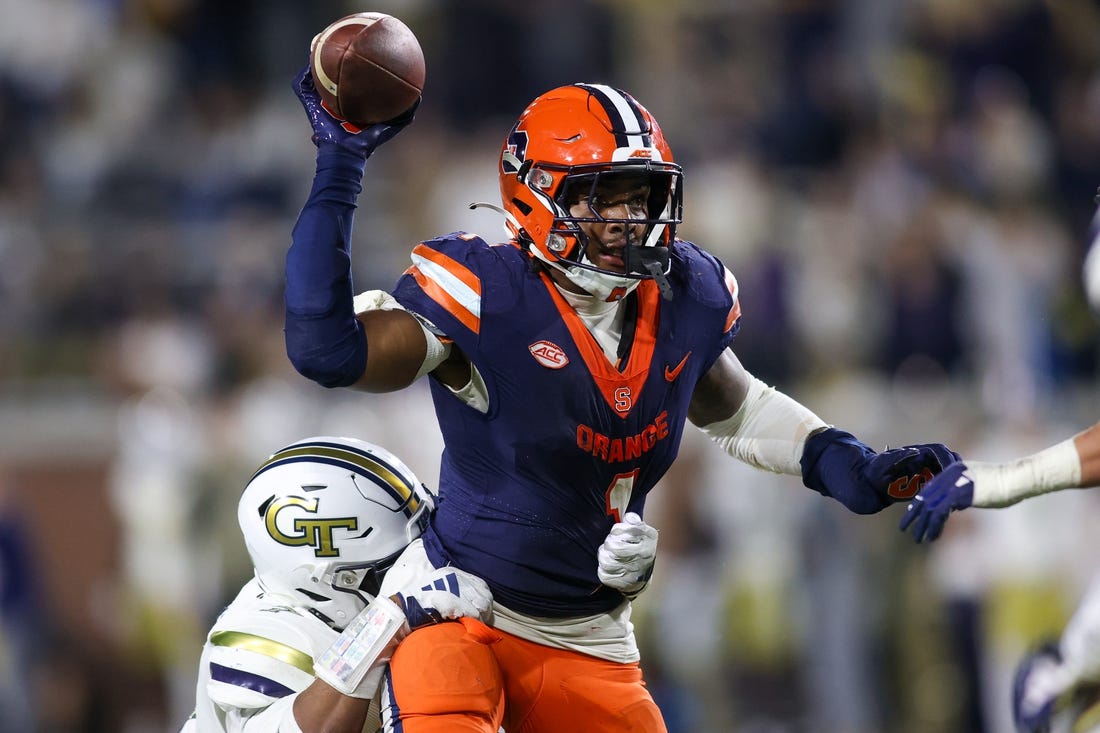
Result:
[903,188]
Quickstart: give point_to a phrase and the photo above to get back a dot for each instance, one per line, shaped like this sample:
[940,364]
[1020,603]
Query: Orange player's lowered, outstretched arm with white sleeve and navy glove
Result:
[766,429]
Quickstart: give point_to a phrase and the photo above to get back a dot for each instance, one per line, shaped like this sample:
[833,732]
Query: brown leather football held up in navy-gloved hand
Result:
[368,68]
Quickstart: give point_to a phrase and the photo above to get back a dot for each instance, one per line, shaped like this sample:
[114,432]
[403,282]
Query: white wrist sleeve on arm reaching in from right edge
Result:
[1002,485]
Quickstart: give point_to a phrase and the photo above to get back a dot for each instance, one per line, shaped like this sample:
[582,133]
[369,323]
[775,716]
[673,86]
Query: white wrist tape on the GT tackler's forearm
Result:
[365,647]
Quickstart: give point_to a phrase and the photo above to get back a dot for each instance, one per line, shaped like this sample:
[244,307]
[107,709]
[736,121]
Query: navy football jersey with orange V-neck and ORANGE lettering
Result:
[570,443]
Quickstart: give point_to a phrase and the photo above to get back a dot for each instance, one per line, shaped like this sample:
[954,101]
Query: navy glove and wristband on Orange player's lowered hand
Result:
[835,464]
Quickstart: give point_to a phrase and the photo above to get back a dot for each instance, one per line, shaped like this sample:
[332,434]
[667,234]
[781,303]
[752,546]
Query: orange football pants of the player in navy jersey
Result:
[468,679]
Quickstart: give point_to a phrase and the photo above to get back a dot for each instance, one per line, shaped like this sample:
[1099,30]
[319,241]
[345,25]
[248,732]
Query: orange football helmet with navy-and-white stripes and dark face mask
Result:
[564,144]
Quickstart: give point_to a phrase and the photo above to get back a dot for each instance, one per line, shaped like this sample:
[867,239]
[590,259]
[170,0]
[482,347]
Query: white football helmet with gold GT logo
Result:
[325,518]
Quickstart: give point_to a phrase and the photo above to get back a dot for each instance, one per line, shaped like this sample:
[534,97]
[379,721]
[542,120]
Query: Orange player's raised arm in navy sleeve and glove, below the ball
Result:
[325,341]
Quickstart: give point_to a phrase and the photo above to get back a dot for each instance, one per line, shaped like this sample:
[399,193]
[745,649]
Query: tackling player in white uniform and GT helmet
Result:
[304,647]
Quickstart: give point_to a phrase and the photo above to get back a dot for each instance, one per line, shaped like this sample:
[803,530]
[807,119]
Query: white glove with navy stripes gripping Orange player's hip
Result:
[445,595]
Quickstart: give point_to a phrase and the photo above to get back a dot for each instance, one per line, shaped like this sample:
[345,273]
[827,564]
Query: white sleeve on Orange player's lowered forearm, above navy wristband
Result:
[769,431]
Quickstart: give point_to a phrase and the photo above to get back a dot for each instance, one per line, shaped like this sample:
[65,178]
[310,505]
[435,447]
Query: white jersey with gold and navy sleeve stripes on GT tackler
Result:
[257,659]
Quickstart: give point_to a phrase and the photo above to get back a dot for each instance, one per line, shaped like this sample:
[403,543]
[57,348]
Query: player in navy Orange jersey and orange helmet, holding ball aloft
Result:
[564,366]
